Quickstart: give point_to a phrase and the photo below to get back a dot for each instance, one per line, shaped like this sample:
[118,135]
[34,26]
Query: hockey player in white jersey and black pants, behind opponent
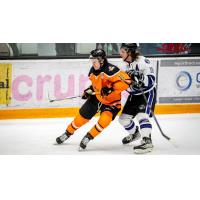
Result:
[141,100]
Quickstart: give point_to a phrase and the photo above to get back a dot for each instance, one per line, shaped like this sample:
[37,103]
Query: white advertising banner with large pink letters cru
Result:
[36,82]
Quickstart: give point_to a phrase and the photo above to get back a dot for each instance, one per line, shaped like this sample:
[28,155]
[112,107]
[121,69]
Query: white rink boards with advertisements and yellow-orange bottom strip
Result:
[35,82]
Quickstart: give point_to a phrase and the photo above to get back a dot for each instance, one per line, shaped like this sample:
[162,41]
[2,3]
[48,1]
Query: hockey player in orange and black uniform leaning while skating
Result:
[104,96]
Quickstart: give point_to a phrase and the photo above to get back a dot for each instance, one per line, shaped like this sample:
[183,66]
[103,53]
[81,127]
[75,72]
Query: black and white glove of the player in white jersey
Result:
[137,78]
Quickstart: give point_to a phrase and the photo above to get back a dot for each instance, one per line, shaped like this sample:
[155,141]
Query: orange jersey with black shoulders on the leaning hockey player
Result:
[112,77]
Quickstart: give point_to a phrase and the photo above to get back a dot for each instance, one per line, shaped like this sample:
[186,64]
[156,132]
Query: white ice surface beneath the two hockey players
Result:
[37,137]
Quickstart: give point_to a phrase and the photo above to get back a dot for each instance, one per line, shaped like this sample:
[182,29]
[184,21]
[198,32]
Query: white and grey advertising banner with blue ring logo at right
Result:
[179,81]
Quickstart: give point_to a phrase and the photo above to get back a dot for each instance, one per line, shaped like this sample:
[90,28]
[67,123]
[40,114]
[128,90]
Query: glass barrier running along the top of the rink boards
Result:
[77,50]
